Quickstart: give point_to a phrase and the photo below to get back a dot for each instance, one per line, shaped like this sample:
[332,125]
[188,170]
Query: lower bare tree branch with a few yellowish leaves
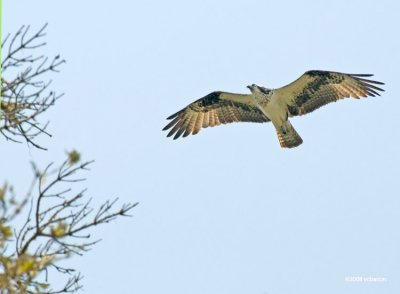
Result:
[57,227]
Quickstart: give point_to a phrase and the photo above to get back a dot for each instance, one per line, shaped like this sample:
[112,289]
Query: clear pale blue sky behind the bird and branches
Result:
[227,210]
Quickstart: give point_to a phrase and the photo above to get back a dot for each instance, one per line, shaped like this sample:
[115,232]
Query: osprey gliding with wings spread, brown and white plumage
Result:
[312,90]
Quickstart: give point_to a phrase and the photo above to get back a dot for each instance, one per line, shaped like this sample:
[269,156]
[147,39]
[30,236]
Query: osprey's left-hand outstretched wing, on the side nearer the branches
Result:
[212,110]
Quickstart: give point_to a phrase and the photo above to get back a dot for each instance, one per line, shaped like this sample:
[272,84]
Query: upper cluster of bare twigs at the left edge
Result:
[24,89]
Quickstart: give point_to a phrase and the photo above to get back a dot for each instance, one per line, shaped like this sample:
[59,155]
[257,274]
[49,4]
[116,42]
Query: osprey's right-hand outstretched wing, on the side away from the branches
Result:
[316,88]
